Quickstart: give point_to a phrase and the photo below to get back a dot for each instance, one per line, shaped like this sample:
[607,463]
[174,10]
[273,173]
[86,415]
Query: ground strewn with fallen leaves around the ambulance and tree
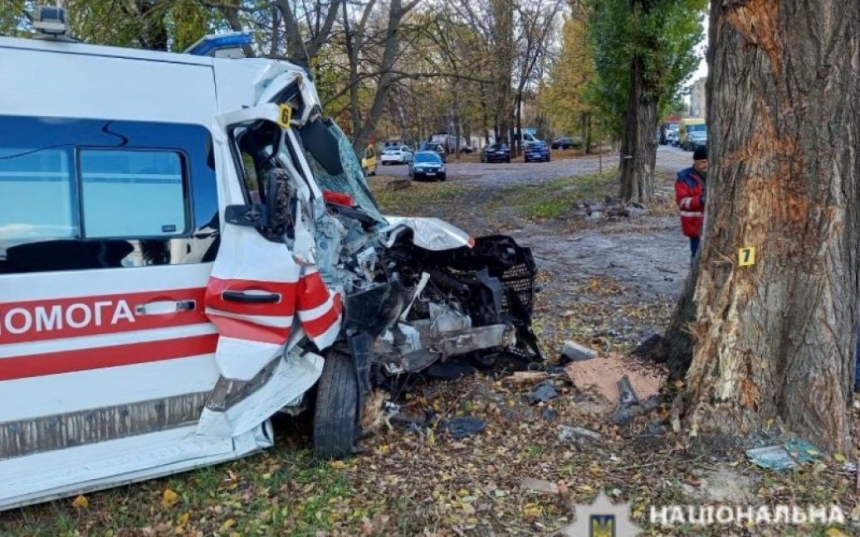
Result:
[424,482]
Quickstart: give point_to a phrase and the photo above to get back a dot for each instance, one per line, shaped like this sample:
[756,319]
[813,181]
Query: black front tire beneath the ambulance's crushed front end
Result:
[336,413]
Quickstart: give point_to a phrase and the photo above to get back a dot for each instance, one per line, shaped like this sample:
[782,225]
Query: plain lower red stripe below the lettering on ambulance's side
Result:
[54,363]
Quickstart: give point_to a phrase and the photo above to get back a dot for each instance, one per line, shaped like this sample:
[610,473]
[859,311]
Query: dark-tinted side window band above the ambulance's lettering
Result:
[81,194]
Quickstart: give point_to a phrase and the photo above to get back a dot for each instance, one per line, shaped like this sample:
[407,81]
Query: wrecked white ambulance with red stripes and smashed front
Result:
[187,247]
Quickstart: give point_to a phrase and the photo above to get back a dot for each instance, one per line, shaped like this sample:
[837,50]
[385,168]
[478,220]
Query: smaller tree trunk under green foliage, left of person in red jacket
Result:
[638,149]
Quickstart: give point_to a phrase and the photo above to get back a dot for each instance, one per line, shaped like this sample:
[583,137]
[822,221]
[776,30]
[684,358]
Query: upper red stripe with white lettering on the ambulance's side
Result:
[39,320]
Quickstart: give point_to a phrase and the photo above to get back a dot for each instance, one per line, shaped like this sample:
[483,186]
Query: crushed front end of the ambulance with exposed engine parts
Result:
[410,293]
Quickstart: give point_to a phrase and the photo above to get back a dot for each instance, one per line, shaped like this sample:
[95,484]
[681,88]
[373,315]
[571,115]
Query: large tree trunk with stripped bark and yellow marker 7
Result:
[776,340]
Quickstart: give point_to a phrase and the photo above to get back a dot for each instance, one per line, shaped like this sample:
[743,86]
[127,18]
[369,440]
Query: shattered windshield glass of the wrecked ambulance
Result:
[351,181]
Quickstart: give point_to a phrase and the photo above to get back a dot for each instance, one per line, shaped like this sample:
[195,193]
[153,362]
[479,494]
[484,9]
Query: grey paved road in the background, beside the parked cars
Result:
[536,172]
